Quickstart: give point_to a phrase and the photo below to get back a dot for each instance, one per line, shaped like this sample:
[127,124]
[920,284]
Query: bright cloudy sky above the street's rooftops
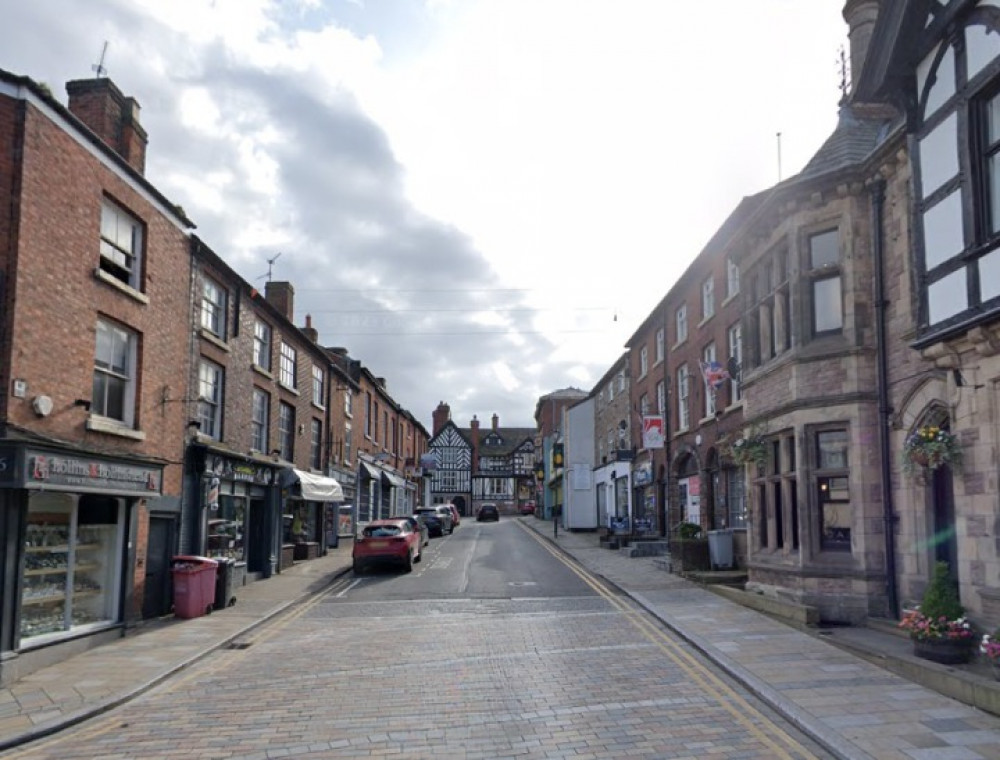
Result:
[480,199]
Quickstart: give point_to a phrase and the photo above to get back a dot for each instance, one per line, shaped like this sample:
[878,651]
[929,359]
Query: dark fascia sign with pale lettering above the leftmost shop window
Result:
[55,470]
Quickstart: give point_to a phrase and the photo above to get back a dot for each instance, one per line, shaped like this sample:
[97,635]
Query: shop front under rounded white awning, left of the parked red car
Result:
[310,502]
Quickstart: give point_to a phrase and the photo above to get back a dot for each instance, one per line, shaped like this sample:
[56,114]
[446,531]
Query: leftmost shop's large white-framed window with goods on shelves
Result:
[70,563]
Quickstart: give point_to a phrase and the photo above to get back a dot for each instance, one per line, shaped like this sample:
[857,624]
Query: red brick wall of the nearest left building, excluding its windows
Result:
[58,301]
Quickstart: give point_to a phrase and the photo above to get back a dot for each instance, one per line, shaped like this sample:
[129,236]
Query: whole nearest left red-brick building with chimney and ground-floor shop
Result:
[94,269]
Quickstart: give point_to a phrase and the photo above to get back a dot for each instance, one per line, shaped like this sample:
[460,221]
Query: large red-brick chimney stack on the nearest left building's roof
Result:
[112,116]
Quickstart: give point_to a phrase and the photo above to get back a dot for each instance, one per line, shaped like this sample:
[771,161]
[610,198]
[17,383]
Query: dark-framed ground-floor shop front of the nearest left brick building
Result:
[68,530]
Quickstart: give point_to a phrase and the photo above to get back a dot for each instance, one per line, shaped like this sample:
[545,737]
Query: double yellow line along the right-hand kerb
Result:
[778,741]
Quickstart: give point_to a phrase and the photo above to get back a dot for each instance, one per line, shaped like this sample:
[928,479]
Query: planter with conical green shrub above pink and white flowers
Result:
[937,627]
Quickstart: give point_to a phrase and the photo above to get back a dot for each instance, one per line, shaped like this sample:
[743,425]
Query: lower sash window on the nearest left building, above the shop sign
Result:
[115,360]
